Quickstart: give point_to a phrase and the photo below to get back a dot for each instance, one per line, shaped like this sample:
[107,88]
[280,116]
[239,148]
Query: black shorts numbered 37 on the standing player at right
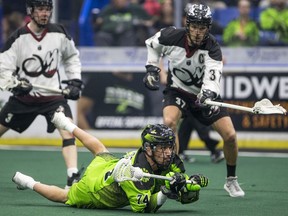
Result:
[186,103]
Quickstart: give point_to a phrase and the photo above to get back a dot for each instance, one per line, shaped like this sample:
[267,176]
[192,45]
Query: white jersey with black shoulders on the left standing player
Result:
[38,57]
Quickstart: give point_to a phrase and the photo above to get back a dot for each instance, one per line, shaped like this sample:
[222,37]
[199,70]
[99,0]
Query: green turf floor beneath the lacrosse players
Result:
[264,179]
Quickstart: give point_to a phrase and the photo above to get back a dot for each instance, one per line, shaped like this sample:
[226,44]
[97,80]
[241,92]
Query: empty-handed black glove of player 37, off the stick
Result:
[152,77]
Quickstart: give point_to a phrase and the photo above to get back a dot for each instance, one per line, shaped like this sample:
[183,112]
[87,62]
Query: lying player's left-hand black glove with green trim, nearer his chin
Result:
[172,187]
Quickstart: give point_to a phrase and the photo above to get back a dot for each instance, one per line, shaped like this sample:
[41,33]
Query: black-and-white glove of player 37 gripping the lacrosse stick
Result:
[208,111]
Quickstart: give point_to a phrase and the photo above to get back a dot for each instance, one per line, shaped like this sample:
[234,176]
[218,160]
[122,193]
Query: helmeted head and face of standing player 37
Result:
[198,23]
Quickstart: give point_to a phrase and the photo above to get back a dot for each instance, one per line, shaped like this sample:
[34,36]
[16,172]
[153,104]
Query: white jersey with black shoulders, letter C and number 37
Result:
[189,69]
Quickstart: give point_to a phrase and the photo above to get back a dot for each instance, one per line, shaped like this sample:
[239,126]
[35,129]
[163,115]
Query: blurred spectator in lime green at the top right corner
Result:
[275,19]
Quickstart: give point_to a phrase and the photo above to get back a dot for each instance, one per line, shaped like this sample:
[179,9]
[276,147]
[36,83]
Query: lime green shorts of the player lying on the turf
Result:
[97,188]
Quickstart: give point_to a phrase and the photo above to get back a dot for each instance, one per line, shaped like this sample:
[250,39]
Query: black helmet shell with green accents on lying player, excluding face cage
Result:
[158,134]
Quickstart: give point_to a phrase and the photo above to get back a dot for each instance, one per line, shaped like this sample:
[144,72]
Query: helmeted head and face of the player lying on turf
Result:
[158,141]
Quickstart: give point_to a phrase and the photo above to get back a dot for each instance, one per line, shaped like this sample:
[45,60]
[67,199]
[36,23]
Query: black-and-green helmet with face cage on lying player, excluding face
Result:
[158,135]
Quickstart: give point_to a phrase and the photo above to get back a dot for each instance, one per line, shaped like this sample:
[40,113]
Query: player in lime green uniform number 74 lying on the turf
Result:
[98,188]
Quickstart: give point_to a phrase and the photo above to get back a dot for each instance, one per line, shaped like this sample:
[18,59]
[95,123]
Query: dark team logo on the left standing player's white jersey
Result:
[35,66]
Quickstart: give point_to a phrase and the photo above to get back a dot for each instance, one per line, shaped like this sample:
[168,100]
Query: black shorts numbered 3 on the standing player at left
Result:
[18,116]
